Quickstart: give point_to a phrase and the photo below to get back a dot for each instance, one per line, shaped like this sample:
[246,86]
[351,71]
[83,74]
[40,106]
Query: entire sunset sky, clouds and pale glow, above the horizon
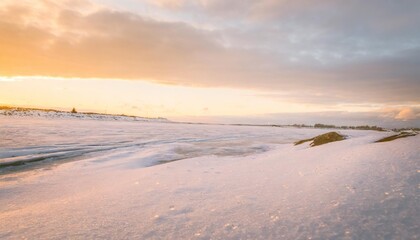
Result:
[242,61]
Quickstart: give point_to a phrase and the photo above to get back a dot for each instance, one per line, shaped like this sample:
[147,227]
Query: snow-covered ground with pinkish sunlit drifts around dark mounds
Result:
[90,179]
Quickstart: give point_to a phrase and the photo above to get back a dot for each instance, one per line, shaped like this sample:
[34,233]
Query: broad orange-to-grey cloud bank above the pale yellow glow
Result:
[364,53]
